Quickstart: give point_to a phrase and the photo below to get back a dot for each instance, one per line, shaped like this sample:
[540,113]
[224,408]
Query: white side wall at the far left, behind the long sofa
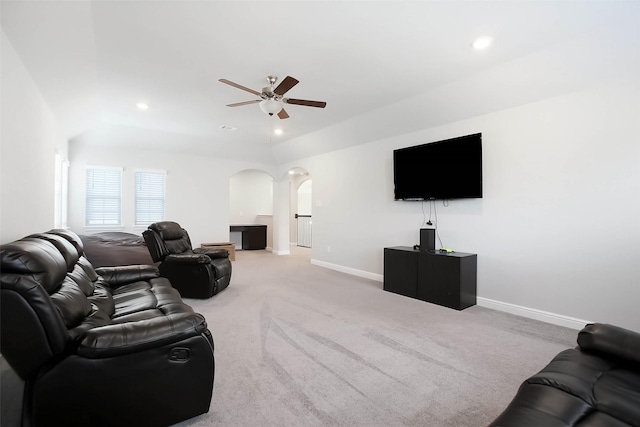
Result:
[30,139]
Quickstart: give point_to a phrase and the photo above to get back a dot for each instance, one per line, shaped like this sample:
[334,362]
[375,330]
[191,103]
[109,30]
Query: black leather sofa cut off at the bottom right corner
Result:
[596,384]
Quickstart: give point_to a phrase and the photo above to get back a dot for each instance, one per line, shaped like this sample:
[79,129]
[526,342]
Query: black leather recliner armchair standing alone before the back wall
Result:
[195,273]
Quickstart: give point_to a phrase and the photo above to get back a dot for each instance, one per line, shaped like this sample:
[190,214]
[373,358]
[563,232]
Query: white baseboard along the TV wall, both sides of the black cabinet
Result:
[518,310]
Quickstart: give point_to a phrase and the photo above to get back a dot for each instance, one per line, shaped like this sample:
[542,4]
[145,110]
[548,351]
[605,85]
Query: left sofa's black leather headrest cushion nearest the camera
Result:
[36,257]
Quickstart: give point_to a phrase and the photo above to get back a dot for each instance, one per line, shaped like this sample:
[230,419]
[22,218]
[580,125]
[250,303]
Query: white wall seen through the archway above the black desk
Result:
[251,194]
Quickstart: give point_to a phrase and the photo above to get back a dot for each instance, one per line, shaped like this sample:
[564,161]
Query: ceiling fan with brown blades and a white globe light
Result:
[272,99]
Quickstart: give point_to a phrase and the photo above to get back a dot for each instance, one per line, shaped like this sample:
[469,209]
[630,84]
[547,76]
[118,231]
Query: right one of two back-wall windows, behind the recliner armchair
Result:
[150,191]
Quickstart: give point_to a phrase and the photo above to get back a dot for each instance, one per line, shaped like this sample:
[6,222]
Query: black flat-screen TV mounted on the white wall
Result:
[448,169]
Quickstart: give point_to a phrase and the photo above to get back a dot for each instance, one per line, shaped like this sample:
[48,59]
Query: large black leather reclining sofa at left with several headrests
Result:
[113,346]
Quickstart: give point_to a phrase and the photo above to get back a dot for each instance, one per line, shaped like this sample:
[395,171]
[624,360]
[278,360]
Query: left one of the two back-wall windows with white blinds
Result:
[104,189]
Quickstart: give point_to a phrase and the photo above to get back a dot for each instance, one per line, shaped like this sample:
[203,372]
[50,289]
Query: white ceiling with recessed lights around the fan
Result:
[94,60]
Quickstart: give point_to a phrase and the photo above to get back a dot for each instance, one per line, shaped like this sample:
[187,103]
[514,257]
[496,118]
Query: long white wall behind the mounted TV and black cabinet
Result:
[557,228]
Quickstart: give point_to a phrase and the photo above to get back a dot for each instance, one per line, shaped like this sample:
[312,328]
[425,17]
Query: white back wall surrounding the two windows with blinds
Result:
[197,194]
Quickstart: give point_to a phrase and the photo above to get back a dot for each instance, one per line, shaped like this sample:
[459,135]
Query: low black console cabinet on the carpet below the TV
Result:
[447,279]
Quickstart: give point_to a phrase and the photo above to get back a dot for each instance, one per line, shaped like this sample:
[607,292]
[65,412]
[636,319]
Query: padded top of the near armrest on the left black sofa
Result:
[130,337]
